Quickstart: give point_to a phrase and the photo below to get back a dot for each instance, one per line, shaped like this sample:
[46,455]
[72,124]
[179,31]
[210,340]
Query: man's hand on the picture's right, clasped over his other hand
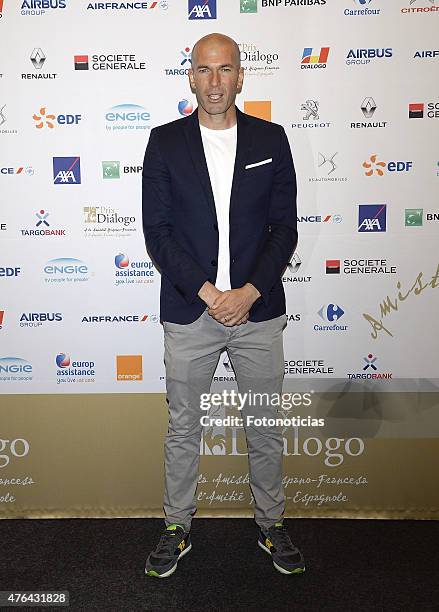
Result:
[232,307]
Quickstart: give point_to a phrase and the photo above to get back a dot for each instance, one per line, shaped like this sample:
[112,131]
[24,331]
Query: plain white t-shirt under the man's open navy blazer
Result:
[220,151]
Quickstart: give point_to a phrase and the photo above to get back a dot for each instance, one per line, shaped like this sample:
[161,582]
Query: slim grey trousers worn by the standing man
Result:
[191,355]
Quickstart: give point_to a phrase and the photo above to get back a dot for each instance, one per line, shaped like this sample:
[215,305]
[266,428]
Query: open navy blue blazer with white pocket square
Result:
[180,223]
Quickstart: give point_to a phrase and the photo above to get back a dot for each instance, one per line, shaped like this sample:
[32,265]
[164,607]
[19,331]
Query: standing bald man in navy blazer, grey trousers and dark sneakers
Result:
[219,218]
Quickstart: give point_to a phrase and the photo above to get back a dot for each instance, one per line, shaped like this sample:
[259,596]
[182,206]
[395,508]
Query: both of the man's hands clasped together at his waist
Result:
[229,307]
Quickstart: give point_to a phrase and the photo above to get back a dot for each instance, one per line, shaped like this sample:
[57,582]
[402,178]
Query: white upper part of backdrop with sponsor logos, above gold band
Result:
[80,106]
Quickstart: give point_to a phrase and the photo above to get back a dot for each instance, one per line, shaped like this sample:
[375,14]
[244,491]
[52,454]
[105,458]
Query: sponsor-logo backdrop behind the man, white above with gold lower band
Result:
[82,407]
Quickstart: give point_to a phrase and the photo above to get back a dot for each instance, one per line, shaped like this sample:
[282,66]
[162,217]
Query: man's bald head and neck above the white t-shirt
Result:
[216,77]
